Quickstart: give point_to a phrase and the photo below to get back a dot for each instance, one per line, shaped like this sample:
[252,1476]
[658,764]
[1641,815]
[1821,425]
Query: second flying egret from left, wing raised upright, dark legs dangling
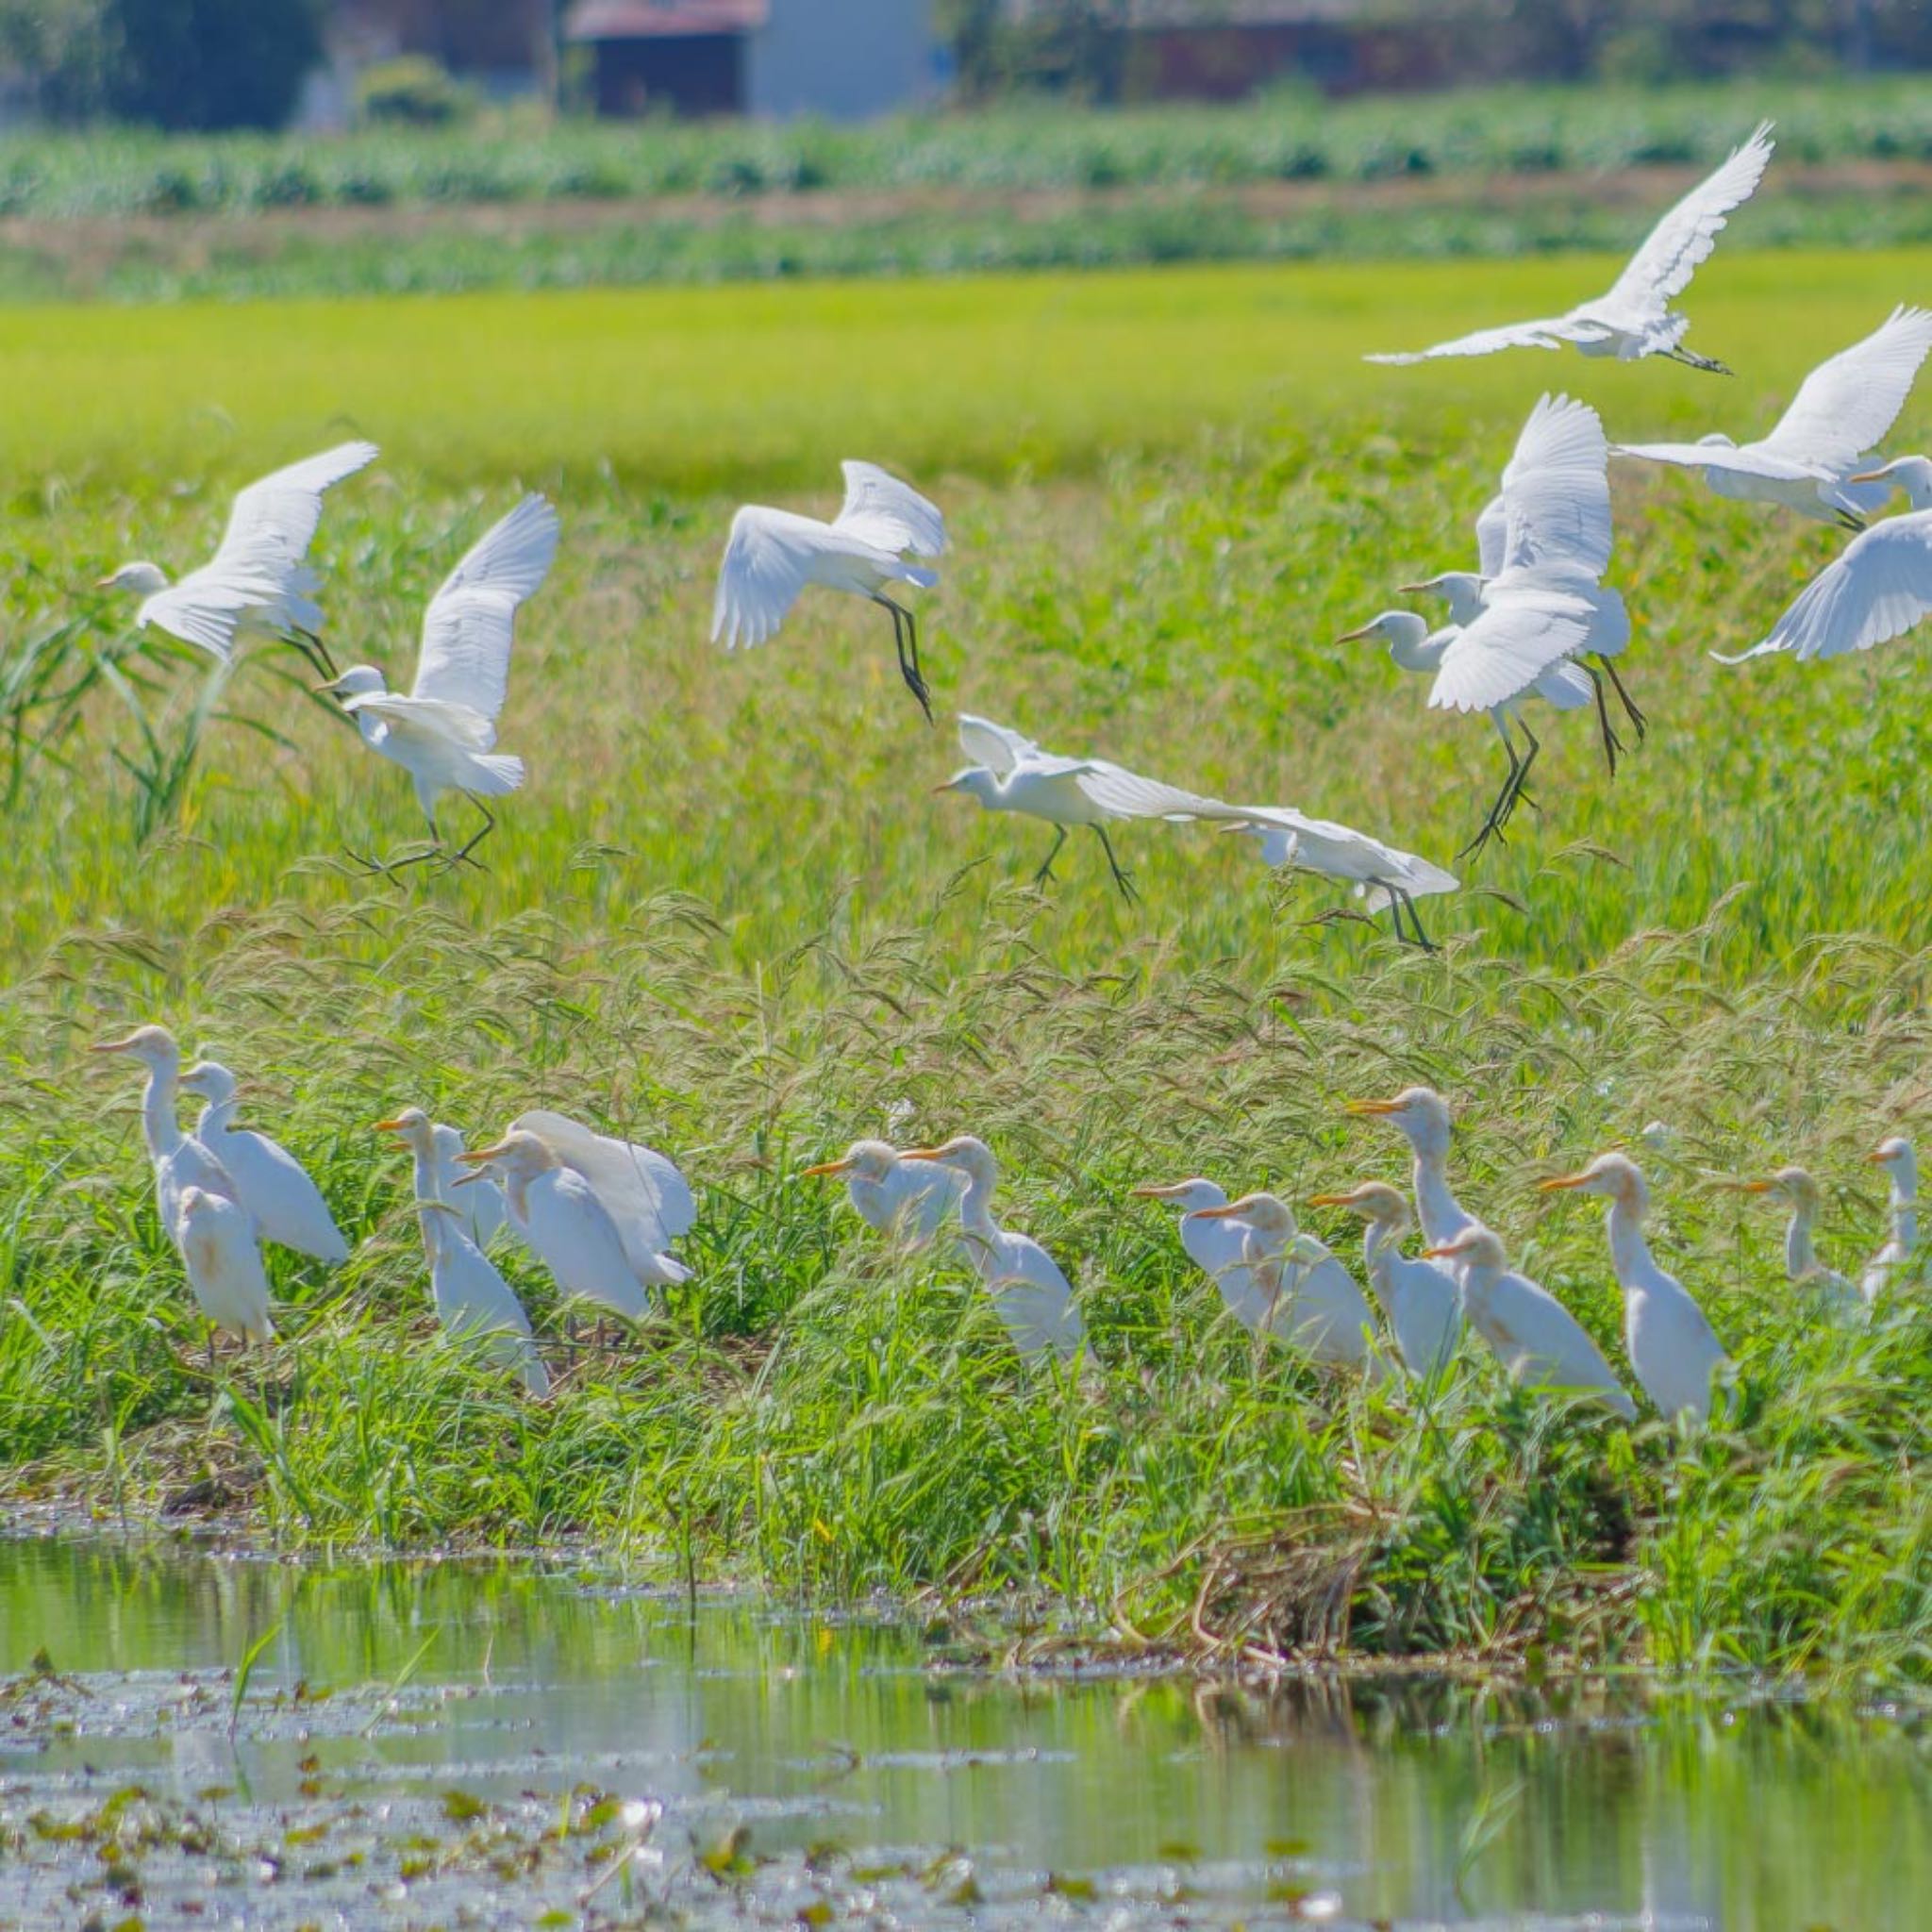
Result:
[441,731]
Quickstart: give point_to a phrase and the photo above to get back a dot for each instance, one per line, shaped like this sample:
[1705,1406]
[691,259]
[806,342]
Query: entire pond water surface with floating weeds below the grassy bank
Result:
[861,1757]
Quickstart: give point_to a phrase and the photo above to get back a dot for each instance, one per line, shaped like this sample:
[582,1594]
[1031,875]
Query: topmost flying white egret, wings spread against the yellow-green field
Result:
[1635,318]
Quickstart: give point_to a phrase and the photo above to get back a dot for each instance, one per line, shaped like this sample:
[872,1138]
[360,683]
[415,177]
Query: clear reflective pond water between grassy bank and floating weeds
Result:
[1417,1800]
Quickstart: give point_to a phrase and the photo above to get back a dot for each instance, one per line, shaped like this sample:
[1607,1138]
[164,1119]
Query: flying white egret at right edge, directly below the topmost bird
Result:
[1842,411]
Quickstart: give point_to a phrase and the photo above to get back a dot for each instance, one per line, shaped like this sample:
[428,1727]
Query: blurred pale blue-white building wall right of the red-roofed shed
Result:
[843,59]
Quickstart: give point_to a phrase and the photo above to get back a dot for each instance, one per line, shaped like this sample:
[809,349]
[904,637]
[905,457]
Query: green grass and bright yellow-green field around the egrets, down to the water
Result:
[727,917]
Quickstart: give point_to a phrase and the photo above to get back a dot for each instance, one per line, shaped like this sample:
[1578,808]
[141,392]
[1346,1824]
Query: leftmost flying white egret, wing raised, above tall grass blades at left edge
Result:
[260,577]
